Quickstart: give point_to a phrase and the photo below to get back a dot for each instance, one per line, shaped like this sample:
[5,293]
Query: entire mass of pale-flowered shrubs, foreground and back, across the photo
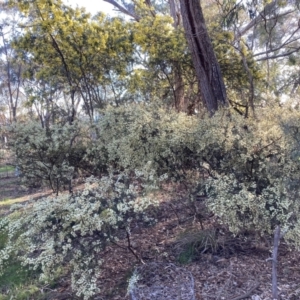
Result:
[248,170]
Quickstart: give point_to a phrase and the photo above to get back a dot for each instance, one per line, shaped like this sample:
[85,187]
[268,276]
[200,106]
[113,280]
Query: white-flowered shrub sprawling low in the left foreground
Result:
[71,231]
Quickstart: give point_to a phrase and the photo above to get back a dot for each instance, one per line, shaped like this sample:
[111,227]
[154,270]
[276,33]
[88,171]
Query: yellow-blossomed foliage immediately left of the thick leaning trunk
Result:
[164,52]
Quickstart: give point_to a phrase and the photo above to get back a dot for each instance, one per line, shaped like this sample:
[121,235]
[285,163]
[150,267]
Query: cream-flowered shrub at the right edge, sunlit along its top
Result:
[255,182]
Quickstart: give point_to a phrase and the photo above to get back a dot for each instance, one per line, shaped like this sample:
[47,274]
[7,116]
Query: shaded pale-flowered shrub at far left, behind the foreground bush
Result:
[48,155]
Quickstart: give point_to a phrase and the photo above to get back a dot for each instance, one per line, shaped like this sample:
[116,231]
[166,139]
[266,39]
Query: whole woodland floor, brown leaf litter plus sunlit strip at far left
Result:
[229,269]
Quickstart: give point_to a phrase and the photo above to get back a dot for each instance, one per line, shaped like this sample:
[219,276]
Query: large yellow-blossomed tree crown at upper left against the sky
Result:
[70,53]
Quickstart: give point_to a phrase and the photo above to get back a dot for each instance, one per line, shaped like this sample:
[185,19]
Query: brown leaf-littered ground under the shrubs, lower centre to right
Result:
[237,270]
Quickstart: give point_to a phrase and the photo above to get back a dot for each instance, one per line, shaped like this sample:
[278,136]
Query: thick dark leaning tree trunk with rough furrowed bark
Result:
[210,80]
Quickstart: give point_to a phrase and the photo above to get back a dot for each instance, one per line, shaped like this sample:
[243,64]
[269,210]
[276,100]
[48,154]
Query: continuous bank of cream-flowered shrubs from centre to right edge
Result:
[251,166]
